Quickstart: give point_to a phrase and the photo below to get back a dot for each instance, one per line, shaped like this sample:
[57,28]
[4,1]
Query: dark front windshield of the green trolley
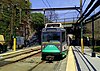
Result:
[51,36]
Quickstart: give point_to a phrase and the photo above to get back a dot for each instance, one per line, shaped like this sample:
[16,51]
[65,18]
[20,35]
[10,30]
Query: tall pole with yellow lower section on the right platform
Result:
[82,44]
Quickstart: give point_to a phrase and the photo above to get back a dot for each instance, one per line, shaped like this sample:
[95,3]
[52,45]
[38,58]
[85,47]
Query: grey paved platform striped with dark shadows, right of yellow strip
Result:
[84,61]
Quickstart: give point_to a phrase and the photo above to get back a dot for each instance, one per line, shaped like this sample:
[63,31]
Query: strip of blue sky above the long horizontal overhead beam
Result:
[53,3]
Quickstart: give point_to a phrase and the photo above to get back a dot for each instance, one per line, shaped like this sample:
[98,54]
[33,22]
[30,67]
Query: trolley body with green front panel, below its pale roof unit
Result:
[53,43]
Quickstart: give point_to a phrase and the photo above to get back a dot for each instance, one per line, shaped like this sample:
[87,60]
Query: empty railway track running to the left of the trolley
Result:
[18,57]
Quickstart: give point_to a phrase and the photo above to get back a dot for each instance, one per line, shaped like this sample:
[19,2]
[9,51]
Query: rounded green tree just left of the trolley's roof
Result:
[37,24]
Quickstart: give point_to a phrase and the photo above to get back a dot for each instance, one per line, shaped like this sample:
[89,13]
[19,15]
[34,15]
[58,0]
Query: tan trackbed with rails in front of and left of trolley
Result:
[30,61]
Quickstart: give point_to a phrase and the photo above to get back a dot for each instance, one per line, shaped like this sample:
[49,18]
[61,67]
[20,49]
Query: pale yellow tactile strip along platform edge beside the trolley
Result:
[71,64]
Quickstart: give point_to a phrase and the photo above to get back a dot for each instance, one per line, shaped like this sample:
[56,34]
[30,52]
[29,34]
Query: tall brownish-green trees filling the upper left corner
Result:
[8,10]
